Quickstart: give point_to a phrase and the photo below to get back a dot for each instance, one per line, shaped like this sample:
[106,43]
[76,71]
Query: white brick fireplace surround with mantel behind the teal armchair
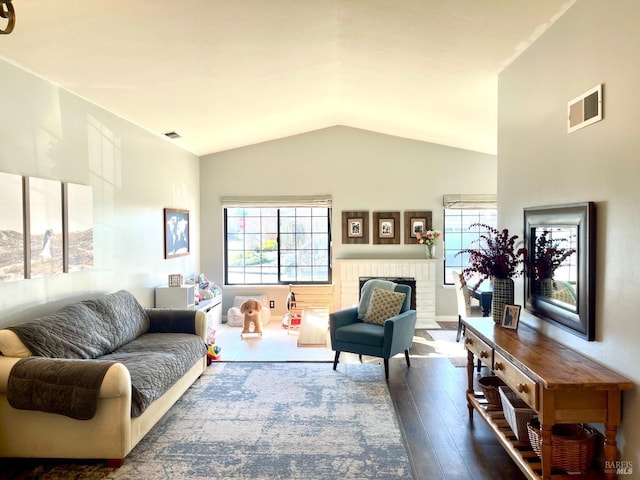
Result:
[423,271]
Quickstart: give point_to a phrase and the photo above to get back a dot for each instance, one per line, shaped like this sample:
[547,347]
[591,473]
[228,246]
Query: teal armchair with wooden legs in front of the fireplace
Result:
[350,334]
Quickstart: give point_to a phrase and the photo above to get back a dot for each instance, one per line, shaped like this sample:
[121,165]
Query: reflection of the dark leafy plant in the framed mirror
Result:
[548,255]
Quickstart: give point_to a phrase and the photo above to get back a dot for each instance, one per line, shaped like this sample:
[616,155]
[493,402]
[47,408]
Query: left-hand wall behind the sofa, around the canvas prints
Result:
[46,132]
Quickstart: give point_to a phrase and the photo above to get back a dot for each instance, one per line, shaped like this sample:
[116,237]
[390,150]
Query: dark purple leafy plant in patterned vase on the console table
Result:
[497,258]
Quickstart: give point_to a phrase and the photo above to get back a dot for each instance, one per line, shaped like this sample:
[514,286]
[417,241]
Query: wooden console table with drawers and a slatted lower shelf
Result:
[561,385]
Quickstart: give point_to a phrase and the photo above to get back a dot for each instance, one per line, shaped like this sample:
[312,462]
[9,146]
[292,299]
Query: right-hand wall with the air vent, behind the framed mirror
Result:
[539,163]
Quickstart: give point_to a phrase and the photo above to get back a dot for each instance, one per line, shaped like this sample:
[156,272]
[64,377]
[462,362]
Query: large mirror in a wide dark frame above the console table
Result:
[560,280]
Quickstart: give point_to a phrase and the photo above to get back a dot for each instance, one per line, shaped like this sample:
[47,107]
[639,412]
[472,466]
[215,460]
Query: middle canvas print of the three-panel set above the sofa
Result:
[45,252]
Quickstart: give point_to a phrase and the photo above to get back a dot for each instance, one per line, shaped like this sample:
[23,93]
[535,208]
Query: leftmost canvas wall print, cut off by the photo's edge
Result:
[11,228]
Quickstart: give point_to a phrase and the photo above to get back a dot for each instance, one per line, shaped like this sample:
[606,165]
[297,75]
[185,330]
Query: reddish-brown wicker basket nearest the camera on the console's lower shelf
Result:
[572,444]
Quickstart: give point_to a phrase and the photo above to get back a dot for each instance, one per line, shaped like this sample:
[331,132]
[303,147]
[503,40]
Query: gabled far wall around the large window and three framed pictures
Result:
[362,170]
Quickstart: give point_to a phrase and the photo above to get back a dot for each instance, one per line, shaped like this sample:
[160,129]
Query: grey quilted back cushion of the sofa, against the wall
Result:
[87,329]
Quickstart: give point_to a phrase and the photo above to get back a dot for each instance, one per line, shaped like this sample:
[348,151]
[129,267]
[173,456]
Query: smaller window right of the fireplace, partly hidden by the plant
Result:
[460,212]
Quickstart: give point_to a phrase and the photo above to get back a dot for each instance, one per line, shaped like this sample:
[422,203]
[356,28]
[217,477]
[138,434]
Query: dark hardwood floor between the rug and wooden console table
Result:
[442,443]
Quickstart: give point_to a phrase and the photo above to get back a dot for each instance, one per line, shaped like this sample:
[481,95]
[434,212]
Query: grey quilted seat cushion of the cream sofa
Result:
[155,362]
